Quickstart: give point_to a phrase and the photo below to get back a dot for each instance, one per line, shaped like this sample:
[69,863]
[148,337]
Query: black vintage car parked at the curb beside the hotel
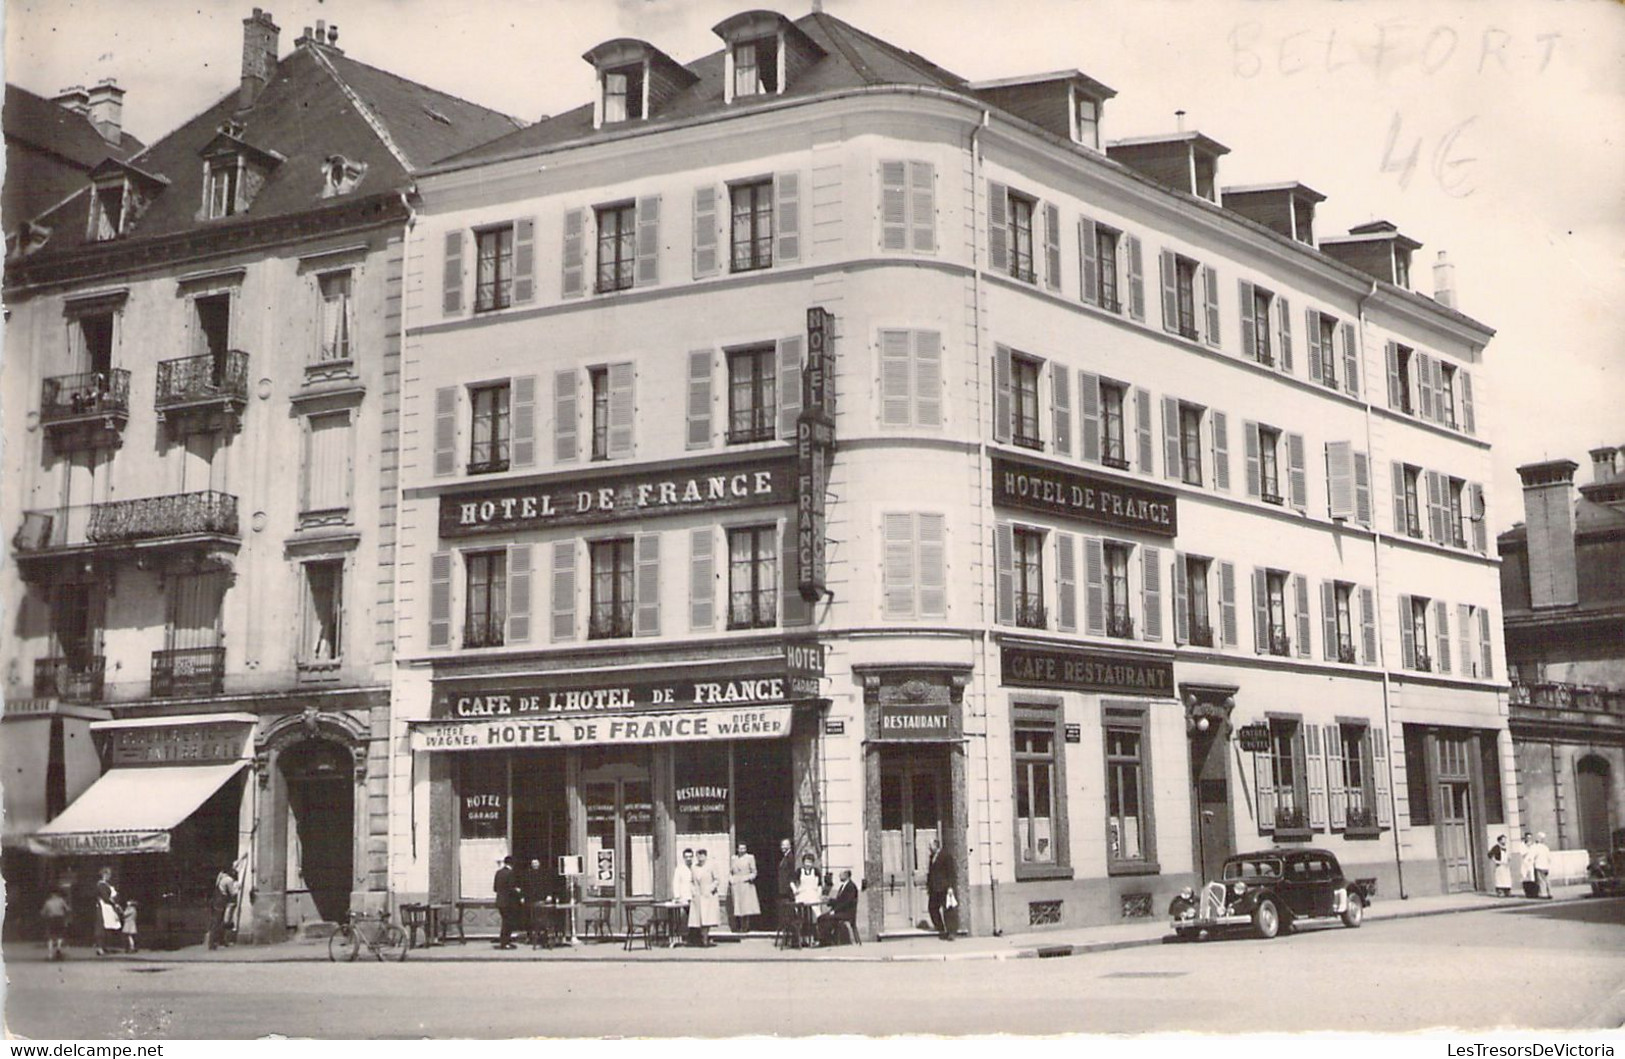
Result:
[1273,891]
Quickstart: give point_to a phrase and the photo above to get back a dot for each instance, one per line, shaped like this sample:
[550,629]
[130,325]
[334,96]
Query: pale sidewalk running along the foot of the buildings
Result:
[922,949]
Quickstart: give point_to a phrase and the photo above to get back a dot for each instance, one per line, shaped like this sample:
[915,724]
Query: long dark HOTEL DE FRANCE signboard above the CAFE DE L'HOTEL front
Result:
[573,499]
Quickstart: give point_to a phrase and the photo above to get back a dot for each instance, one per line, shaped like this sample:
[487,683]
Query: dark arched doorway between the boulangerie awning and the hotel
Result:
[321,824]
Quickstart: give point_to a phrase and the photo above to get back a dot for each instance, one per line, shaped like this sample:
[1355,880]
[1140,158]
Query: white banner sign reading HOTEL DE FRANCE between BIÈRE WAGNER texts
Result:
[630,730]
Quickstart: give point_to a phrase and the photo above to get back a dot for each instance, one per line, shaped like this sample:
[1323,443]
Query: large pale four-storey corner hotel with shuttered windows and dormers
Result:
[805,443]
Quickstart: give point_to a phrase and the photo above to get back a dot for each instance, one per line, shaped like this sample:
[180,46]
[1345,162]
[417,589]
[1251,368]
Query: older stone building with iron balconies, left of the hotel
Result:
[202,391]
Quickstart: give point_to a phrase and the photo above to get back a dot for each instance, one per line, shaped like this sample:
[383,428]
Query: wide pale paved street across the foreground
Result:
[1554,966]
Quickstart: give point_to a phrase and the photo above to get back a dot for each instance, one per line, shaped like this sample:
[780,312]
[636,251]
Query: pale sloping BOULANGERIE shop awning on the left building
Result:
[132,810]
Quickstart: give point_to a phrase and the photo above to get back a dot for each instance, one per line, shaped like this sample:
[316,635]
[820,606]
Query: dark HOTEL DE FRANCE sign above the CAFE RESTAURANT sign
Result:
[1073,495]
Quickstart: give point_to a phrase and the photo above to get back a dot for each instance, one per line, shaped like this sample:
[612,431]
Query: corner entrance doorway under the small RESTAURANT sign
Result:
[914,813]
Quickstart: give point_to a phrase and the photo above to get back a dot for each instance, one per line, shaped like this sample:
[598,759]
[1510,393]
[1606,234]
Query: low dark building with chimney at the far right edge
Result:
[1564,597]
